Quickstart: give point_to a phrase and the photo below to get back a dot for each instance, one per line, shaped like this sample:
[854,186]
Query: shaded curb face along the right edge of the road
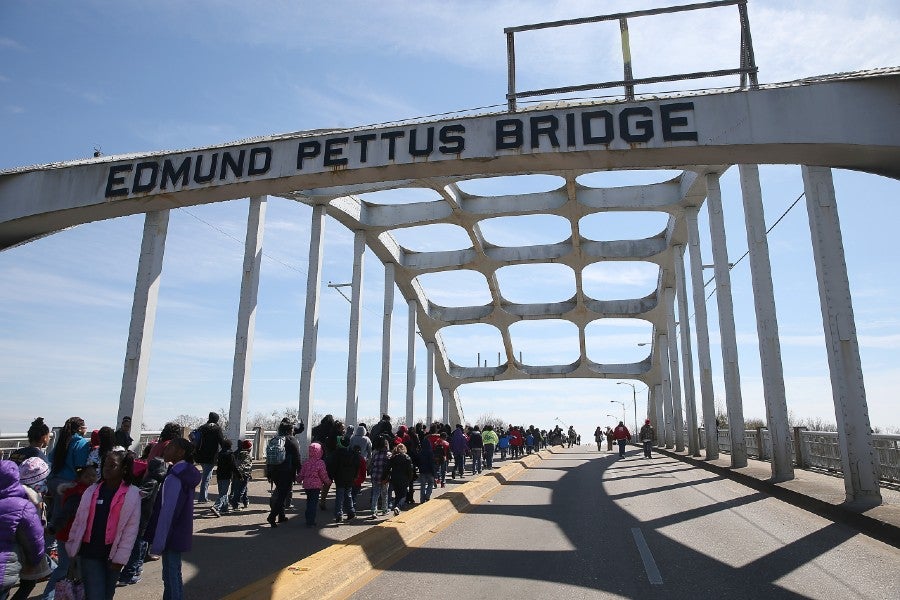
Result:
[841,513]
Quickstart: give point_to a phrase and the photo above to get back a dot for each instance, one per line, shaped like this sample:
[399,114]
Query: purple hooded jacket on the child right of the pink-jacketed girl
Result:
[172,525]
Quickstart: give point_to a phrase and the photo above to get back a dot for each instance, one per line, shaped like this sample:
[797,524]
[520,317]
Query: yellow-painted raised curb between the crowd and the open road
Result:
[331,573]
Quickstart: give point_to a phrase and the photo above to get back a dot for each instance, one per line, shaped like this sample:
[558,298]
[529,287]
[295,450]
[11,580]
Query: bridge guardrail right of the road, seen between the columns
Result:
[817,450]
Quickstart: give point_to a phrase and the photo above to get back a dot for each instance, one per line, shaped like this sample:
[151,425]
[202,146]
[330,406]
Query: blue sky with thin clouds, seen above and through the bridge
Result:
[136,76]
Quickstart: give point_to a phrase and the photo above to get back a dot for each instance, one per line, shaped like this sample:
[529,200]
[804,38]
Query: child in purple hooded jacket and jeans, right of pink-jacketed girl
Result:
[171,527]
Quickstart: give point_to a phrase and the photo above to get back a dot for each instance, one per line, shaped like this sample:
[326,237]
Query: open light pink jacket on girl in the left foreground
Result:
[121,528]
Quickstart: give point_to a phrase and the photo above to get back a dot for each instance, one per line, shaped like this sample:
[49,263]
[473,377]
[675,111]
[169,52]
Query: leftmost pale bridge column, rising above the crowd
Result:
[143,319]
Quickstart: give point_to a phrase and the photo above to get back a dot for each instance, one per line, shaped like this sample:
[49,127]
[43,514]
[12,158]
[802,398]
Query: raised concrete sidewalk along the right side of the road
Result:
[817,492]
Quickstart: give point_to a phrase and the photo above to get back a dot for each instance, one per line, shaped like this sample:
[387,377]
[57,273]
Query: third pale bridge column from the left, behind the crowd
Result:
[311,320]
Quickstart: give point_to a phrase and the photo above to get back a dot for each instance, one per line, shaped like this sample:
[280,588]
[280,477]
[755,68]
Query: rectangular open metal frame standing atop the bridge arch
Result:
[747,59]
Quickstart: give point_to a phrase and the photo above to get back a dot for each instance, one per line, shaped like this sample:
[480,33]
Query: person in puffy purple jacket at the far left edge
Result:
[20,526]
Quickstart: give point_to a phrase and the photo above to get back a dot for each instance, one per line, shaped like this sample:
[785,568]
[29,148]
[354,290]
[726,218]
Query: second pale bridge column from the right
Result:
[766,324]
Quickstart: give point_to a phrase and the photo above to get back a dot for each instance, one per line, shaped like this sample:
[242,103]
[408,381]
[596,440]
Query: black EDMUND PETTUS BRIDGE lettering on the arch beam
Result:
[573,129]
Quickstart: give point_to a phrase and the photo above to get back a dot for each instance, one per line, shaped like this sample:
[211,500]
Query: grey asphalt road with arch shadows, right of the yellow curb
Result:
[585,524]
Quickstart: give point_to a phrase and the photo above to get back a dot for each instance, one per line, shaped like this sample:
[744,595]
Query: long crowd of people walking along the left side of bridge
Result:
[88,509]
